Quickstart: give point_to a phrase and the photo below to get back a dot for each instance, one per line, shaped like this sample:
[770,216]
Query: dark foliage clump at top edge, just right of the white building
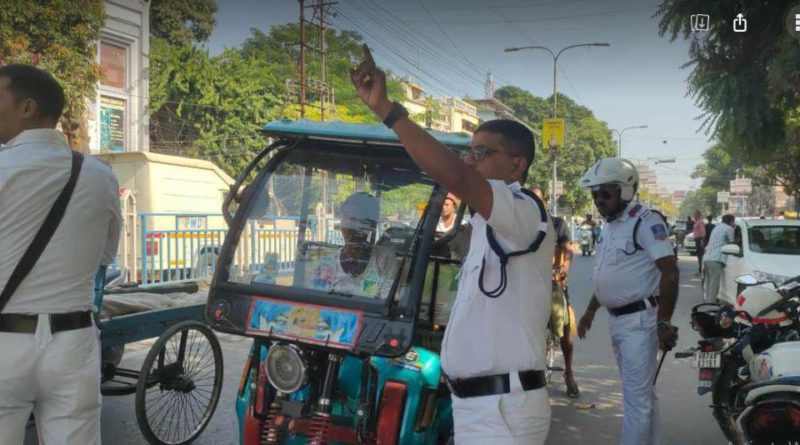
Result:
[182,22]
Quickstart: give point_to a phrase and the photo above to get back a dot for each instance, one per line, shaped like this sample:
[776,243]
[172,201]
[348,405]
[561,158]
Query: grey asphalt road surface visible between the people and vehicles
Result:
[686,417]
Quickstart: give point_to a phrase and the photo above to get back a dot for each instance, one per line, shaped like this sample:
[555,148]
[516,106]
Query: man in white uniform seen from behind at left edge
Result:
[50,346]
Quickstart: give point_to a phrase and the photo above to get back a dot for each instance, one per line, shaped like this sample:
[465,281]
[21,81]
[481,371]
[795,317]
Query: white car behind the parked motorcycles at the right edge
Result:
[767,249]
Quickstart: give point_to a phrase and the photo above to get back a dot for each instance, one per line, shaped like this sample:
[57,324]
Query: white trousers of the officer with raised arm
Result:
[518,418]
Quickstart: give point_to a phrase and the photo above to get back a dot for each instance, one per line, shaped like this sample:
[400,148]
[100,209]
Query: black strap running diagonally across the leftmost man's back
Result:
[44,234]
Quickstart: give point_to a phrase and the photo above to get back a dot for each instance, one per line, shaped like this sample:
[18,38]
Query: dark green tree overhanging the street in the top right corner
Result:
[747,83]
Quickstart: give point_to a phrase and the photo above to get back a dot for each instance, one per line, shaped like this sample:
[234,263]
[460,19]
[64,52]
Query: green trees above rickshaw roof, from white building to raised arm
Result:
[212,107]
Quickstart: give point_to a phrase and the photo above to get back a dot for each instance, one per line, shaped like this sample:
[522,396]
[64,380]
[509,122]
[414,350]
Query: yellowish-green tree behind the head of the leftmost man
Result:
[60,37]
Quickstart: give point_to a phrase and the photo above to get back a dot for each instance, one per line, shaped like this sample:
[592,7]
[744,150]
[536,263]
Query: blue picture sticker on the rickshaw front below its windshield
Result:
[331,327]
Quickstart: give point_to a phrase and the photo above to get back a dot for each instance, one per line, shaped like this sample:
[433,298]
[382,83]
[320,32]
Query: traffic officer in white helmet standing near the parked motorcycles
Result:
[636,279]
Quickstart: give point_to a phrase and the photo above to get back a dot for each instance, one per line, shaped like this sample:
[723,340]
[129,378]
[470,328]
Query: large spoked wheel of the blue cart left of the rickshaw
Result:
[180,384]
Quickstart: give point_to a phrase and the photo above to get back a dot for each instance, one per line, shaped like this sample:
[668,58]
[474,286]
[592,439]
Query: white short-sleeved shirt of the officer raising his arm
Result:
[487,336]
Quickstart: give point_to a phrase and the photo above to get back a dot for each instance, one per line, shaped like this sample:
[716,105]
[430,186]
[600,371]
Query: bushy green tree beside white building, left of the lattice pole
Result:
[210,107]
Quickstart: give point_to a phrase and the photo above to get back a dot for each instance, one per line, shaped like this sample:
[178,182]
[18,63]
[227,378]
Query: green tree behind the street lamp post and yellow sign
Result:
[588,140]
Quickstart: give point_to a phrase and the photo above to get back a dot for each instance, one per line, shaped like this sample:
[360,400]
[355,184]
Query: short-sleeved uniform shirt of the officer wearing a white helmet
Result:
[623,274]
